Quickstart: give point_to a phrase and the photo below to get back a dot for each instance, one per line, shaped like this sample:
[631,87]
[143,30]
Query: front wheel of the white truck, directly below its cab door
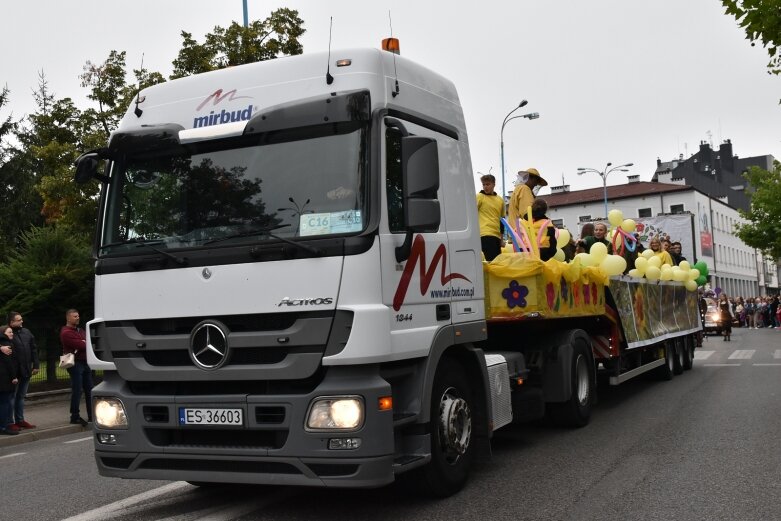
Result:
[452,446]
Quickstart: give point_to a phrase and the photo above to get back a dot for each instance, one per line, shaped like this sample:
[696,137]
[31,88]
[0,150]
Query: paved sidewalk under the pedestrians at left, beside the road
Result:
[49,412]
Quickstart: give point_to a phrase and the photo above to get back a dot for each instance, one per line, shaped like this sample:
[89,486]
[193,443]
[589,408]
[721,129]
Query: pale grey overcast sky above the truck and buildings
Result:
[613,80]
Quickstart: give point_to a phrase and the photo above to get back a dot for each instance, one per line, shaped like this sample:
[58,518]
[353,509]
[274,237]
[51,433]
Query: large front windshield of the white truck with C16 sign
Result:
[300,184]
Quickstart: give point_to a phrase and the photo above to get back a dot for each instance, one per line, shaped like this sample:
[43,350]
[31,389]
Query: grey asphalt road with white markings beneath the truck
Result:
[702,446]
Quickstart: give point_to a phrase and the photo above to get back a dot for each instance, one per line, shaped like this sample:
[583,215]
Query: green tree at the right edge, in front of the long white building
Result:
[763,231]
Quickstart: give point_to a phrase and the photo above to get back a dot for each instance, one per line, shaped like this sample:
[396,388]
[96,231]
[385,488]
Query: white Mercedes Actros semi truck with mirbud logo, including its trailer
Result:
[289,287]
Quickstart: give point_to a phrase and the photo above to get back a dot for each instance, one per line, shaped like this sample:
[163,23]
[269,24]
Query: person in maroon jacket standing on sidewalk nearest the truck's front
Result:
[74,340]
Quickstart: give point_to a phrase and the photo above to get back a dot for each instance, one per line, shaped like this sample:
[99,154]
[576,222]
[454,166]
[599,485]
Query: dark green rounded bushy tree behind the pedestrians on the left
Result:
[49,273]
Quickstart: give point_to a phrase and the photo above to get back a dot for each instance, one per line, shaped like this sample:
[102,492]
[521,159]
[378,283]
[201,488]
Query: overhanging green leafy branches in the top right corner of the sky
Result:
[761,19]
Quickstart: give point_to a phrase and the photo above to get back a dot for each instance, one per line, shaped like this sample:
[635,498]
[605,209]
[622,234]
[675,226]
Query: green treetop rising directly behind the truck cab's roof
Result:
[278,35]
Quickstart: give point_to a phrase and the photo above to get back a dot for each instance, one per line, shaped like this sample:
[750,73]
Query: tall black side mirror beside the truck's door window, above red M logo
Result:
[420,173]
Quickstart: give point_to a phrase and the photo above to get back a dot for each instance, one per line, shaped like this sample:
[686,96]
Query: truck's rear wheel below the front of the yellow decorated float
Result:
[576,412]
